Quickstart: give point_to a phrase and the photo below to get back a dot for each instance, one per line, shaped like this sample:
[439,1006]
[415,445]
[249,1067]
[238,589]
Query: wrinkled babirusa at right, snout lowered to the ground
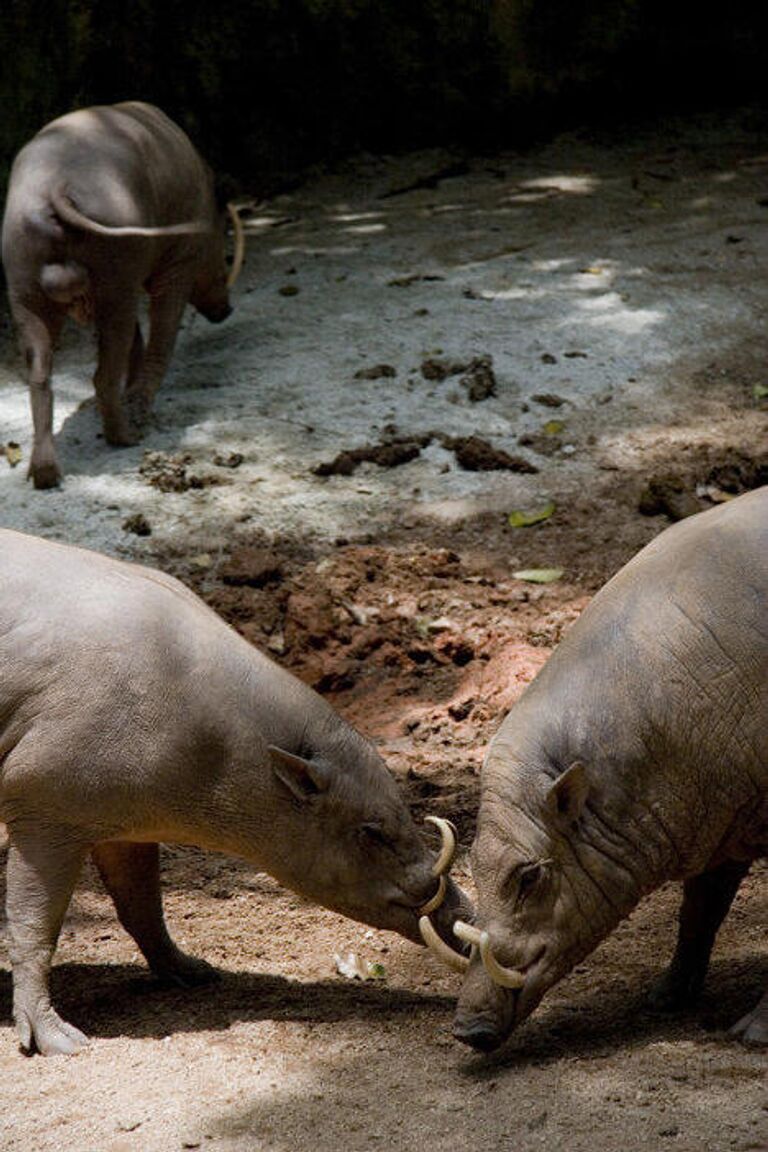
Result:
[637,756]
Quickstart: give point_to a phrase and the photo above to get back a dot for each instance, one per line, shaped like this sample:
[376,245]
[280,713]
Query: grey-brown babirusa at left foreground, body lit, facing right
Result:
[132,715]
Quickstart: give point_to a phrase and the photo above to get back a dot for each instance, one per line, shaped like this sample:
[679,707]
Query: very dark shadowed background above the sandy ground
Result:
[269,87]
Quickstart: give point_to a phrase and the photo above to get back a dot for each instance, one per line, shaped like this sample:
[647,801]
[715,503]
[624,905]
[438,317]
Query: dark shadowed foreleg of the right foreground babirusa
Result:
[706,900]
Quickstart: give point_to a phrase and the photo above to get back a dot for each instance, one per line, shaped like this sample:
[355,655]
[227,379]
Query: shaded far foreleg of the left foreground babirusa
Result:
[132,876]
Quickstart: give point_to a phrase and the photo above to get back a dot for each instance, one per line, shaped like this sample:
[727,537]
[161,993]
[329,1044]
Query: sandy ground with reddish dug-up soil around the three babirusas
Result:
[594,309]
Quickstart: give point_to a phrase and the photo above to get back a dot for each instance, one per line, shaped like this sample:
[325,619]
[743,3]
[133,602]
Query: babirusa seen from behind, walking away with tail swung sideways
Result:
[121,166]
